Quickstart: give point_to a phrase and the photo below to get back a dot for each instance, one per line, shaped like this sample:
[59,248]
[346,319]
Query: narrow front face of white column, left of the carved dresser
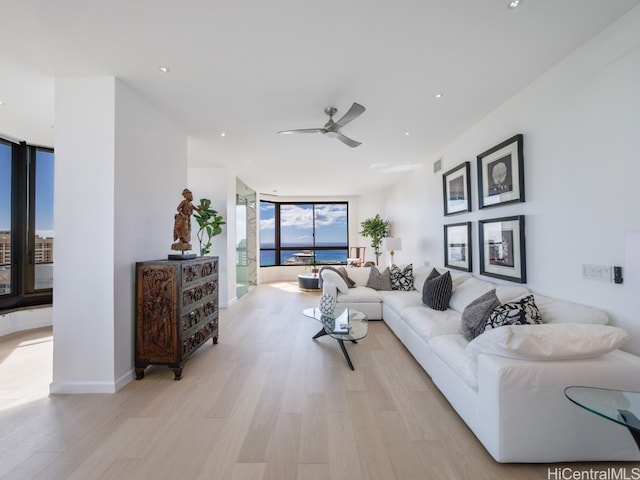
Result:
[83,354]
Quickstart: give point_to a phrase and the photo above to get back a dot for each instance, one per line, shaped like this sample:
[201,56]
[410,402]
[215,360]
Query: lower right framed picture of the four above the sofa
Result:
[502,248]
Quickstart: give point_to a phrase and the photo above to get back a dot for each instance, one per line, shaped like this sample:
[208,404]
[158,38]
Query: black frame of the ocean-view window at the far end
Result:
[278,248]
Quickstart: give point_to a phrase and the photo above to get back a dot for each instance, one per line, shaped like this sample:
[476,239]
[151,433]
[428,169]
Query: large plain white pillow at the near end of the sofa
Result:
[558,341]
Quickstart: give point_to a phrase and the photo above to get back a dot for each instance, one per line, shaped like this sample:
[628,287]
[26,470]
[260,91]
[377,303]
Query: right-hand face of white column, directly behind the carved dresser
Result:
[150,174]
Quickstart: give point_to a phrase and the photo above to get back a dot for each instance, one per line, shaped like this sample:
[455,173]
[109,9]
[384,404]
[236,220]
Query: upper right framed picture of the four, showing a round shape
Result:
[501,174]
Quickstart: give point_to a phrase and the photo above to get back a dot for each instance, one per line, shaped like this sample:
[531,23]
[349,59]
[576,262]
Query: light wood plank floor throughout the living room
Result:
[267,402]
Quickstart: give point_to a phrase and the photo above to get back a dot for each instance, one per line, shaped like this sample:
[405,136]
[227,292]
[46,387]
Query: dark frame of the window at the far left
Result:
[23,234]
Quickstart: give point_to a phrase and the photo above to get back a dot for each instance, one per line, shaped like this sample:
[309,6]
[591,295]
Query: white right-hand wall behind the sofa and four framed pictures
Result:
[582,164]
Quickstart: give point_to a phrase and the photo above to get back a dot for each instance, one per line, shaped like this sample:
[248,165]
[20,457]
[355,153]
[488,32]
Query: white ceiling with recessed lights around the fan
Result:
[252,67]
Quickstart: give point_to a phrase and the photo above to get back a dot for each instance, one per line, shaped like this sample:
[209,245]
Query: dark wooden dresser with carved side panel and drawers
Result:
[176,311]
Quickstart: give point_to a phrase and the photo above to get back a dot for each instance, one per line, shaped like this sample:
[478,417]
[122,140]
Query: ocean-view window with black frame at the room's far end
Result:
[298,233]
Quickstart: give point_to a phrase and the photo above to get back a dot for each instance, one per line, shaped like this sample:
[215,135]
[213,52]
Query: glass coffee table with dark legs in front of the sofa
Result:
[344,324]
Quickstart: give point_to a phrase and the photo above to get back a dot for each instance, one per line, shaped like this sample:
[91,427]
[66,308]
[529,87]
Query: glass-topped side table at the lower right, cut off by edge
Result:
[616,405]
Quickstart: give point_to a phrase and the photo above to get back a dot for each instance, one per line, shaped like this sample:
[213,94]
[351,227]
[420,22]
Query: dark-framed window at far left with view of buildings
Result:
[26,225]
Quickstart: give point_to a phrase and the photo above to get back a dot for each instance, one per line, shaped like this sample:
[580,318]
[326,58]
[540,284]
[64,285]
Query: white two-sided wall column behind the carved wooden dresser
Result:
[108,197]
